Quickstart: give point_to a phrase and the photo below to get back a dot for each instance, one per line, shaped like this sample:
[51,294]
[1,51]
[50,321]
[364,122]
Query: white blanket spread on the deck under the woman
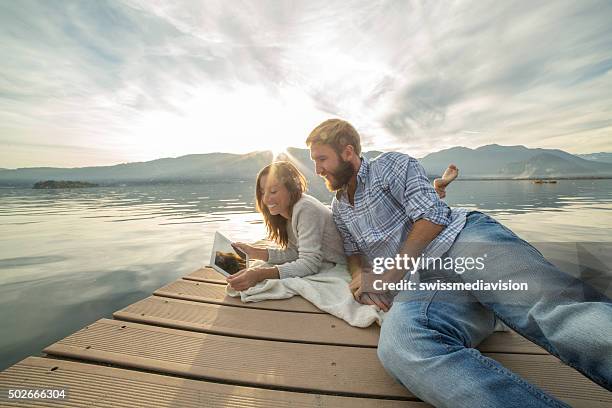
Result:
[328,290]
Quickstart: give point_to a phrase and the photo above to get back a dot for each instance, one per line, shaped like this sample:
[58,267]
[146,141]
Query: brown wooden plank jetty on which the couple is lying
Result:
[190,345]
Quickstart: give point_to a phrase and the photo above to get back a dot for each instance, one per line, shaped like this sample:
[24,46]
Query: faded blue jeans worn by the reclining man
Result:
[428,337]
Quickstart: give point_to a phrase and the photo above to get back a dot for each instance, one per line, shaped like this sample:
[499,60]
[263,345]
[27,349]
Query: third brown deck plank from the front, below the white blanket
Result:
[253,323]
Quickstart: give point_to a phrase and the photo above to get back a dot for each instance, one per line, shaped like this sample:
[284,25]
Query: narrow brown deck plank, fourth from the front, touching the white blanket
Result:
[213,293]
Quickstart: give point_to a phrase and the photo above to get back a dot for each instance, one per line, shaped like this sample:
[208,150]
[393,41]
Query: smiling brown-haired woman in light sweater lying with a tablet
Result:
[295,220]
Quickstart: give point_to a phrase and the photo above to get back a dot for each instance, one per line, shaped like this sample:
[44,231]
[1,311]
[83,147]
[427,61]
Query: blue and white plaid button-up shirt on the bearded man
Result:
[392,193]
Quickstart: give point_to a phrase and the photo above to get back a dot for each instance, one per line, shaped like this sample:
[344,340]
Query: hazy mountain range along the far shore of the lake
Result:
[491,161]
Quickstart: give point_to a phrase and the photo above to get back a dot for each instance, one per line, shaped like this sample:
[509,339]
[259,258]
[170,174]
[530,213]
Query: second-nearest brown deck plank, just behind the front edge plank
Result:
[349,371]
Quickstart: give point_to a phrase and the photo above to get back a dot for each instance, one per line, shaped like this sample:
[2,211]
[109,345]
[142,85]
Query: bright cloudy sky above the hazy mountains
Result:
[86,83]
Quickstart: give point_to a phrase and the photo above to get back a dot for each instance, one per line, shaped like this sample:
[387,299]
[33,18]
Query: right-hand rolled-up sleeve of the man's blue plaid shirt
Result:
[410,185]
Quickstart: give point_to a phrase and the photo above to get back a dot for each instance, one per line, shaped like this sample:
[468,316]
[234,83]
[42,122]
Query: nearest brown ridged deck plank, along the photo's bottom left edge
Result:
[93,385]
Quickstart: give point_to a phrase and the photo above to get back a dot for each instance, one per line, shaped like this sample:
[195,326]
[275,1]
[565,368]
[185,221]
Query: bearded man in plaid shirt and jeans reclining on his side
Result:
[386,207]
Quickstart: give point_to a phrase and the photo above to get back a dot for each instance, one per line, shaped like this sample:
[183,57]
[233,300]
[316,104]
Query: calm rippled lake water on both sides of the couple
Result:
[70,257]
